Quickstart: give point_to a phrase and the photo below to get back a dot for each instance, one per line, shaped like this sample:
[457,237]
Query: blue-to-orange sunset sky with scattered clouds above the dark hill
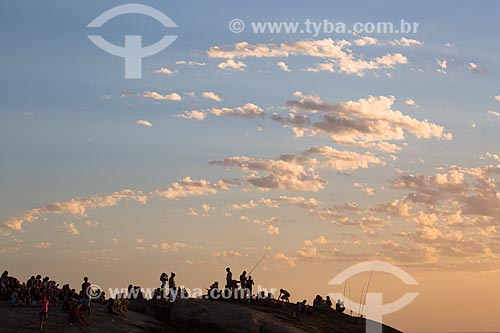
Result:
[318,151]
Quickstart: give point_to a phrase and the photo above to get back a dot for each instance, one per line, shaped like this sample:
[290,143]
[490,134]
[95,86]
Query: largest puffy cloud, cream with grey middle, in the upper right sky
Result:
[368,122]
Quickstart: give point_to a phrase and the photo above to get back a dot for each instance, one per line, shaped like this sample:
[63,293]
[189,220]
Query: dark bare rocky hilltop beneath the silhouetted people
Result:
[189,316]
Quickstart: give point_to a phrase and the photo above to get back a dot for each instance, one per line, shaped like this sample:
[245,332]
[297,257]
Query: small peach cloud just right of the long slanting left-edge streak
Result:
[188,187]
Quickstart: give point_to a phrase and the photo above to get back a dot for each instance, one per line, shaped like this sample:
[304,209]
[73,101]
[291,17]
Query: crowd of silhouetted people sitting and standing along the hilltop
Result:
[38,292]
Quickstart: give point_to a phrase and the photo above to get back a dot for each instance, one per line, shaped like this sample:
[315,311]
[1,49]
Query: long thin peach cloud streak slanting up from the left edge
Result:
[76,206]
